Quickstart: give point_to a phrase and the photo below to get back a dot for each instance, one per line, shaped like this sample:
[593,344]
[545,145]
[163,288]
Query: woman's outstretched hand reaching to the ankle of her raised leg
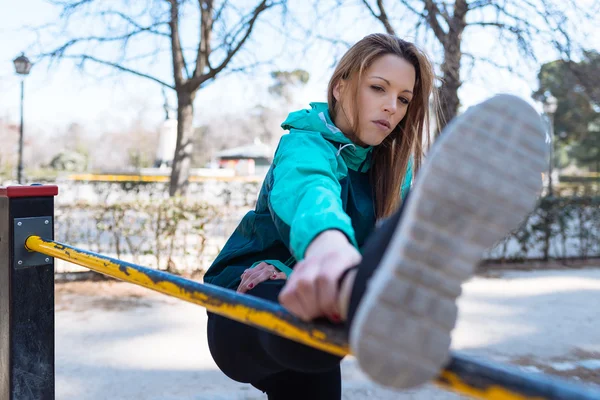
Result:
[312,290]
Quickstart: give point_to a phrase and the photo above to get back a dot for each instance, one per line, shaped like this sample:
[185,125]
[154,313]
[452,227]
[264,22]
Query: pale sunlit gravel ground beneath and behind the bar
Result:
[116,341]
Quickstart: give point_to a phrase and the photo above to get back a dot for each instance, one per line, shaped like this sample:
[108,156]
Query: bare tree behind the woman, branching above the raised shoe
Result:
[517,24]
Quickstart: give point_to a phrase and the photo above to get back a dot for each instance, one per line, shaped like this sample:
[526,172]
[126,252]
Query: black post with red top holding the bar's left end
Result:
[26,295]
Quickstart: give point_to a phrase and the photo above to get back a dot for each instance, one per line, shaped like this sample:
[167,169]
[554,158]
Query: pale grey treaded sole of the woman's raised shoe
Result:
[482,177]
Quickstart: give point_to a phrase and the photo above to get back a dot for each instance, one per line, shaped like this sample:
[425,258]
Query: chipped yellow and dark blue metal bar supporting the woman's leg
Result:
[462,374]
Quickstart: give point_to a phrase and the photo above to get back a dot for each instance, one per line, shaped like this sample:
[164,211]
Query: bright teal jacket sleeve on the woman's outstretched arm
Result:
[306,193]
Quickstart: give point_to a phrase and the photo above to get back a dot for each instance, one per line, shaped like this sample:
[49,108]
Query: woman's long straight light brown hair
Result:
[390,158]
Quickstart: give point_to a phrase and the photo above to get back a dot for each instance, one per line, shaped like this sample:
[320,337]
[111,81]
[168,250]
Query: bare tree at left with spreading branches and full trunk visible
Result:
[223,28]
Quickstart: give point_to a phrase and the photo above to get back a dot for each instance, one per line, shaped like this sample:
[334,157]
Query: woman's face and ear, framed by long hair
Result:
[384,93]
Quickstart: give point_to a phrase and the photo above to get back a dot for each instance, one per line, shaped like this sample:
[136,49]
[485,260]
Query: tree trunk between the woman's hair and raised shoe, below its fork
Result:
[451,80]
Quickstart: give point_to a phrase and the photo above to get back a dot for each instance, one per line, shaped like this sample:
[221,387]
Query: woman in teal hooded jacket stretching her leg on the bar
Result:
[343,166]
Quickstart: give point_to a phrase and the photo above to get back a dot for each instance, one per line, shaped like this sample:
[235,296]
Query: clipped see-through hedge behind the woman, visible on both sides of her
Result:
[184,236]
